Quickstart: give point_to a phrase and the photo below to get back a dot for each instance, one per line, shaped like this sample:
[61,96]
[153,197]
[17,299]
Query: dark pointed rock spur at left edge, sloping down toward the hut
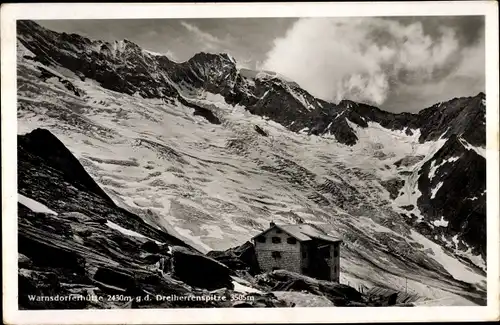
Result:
[50,174]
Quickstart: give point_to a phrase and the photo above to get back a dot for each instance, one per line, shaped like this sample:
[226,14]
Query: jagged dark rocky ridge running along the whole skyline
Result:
[123,66]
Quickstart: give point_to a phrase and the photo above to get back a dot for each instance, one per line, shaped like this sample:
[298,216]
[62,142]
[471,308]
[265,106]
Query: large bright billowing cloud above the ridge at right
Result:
[370,59]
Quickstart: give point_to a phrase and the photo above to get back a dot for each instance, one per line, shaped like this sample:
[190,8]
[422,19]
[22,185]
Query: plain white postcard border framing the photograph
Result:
[11,12]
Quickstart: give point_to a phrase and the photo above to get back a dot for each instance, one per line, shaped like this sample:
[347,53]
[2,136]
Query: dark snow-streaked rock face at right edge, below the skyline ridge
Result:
[455,172]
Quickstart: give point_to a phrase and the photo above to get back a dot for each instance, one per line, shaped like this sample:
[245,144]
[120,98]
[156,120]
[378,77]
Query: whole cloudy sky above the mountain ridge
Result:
[400,64]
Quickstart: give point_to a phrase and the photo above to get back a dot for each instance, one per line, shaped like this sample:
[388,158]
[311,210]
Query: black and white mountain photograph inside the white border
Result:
[252,162]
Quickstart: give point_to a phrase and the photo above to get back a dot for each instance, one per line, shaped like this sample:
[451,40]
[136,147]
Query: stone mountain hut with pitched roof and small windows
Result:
[302,248]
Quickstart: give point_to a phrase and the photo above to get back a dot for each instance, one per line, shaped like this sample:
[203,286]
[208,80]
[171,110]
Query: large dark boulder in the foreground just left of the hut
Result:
[198,270]
